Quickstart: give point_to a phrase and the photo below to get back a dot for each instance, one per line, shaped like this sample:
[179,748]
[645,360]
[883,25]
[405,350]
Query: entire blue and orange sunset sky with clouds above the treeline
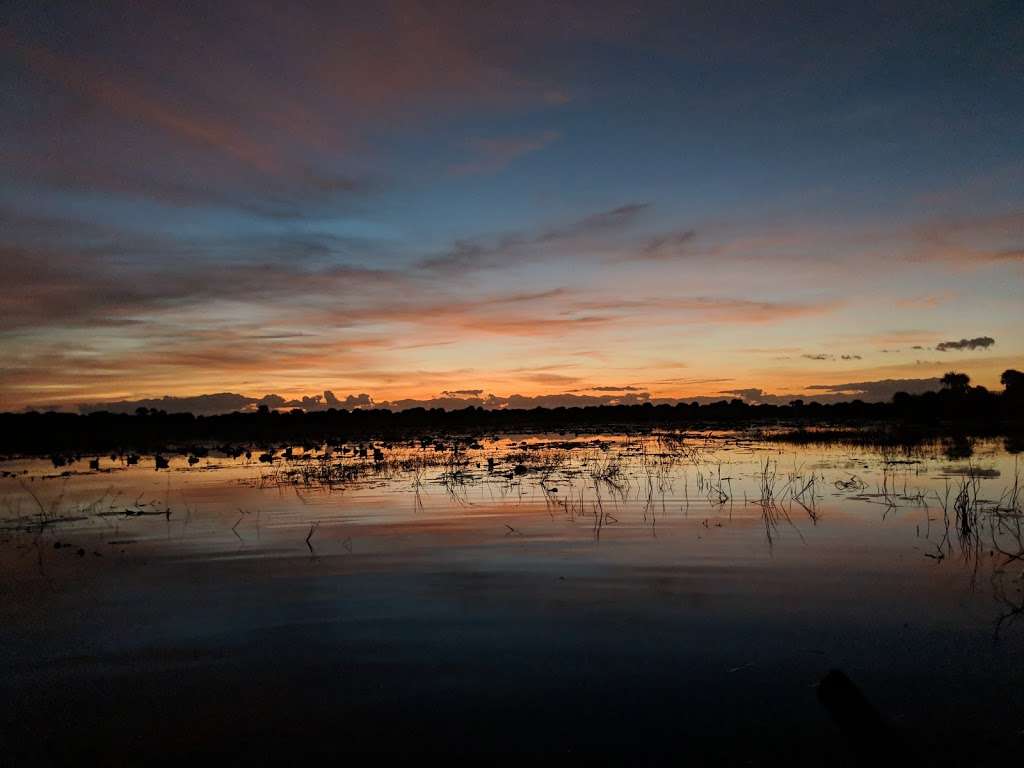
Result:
[443,202]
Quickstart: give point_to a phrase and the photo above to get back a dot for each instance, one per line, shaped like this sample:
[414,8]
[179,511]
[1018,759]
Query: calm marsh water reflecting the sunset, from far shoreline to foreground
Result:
[657,599]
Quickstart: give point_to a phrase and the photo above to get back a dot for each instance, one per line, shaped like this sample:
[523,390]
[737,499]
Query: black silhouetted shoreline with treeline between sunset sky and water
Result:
[906,421]
